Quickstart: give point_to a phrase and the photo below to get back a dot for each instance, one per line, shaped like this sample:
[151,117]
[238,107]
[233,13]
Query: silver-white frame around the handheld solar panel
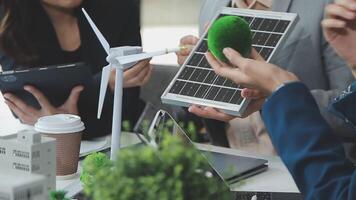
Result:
[229,108]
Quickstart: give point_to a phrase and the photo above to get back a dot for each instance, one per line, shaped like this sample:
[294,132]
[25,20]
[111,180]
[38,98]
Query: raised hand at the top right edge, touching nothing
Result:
[339,28]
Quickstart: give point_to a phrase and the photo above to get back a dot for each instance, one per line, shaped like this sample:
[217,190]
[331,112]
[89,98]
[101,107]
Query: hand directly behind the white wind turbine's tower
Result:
[136,76]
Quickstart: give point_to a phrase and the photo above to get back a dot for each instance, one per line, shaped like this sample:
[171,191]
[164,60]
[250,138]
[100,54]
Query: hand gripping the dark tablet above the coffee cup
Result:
[29,115]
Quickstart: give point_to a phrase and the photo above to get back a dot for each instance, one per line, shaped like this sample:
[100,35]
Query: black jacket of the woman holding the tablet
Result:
[119,22]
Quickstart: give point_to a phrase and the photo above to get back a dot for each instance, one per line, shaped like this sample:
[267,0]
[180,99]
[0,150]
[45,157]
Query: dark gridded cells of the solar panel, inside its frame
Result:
[198,79]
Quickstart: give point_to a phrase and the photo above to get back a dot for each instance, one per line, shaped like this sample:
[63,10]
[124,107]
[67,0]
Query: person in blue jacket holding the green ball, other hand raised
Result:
[305,141]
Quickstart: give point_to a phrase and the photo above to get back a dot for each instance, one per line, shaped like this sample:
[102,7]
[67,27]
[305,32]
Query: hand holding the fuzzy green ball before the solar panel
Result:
[252,73]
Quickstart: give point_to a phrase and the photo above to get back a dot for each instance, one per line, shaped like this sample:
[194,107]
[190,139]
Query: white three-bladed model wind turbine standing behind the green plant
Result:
[119,58]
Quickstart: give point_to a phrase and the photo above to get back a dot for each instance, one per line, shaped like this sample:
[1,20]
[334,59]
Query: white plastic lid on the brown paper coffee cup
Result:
[59,124]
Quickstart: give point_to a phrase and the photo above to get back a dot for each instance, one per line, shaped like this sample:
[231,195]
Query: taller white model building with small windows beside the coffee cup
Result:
[30,153]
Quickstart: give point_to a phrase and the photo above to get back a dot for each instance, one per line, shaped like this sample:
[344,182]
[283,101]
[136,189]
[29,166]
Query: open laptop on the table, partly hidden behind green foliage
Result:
[231,168]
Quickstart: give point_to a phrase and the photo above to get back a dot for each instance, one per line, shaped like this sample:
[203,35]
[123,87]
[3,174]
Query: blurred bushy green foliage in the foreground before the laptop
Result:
[172,170]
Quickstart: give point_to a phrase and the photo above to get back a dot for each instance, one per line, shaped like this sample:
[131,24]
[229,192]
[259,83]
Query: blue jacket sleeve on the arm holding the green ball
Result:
[307,145]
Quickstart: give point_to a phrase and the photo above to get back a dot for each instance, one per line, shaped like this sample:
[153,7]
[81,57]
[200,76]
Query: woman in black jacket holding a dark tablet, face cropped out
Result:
[51,32]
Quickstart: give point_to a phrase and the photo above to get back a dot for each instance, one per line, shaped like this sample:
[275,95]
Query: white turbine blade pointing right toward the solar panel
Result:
[138,57]
